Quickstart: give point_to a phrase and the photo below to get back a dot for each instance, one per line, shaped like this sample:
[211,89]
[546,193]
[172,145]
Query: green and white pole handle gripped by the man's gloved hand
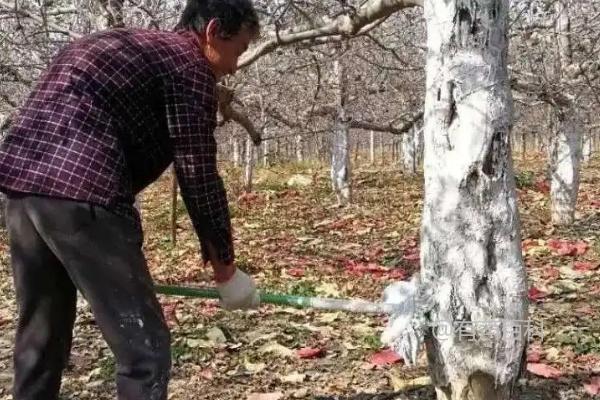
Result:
[352,305]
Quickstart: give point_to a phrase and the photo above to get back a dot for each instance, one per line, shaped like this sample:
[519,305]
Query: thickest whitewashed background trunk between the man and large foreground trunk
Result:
[340,144]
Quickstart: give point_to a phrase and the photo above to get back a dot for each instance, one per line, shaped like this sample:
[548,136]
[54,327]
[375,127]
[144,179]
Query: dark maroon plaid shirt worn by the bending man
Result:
[112,111]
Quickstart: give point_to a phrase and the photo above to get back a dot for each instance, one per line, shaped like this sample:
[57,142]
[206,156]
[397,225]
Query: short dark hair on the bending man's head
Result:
[232,16]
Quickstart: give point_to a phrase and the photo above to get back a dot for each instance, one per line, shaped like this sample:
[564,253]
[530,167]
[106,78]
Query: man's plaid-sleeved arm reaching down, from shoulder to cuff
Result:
[191,117]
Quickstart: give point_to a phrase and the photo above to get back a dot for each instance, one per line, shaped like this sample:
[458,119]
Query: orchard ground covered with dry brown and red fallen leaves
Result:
[294,239]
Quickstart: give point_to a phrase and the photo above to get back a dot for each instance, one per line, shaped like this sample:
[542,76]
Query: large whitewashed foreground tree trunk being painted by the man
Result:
[472,270]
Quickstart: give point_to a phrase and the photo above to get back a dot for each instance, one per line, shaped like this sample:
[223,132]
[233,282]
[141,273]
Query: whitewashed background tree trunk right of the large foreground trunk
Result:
[565,163]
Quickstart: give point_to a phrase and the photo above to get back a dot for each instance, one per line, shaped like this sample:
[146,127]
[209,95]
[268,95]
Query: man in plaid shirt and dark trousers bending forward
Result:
[112,111]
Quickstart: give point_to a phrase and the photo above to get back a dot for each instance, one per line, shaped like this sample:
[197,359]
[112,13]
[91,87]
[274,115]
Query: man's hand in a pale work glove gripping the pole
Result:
[239,292]
